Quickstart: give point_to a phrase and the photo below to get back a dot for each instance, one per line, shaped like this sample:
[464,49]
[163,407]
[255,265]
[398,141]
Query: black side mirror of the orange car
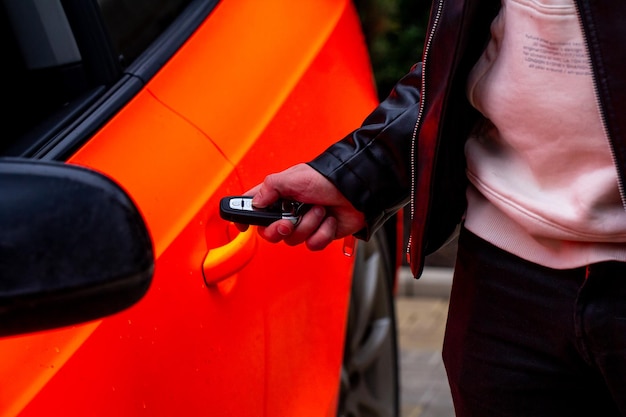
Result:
[73,246]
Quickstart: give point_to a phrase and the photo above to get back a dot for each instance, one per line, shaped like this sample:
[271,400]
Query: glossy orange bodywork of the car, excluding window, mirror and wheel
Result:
[254,90]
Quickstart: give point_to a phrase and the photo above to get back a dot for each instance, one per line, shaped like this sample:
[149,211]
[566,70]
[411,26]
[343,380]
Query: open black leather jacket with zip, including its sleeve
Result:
[410,148]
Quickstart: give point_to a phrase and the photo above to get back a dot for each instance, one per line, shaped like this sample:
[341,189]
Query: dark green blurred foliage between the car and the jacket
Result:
[394,31]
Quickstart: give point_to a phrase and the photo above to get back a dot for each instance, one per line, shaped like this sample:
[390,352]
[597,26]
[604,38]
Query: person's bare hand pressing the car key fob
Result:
[331,217]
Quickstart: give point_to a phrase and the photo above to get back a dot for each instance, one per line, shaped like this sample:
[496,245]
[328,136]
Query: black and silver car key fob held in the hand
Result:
[239,209]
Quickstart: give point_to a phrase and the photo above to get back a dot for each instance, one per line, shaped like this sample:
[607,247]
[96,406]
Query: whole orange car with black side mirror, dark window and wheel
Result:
[122,291]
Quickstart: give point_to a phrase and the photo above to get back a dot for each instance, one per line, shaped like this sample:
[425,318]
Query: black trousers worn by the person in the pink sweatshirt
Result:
[525,340]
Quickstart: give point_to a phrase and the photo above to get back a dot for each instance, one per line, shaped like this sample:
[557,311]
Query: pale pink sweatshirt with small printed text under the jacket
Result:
[543,182]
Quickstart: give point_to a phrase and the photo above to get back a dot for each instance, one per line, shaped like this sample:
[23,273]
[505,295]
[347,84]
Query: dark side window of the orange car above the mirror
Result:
[62,56]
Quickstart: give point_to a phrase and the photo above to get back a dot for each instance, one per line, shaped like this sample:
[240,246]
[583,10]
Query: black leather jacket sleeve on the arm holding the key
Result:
[371,166]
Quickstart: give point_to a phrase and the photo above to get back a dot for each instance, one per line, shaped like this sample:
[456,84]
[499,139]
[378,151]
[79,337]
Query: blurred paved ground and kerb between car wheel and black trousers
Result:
[422,307]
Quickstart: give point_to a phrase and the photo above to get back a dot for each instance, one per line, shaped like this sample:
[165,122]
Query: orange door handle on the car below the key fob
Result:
[225,261]
